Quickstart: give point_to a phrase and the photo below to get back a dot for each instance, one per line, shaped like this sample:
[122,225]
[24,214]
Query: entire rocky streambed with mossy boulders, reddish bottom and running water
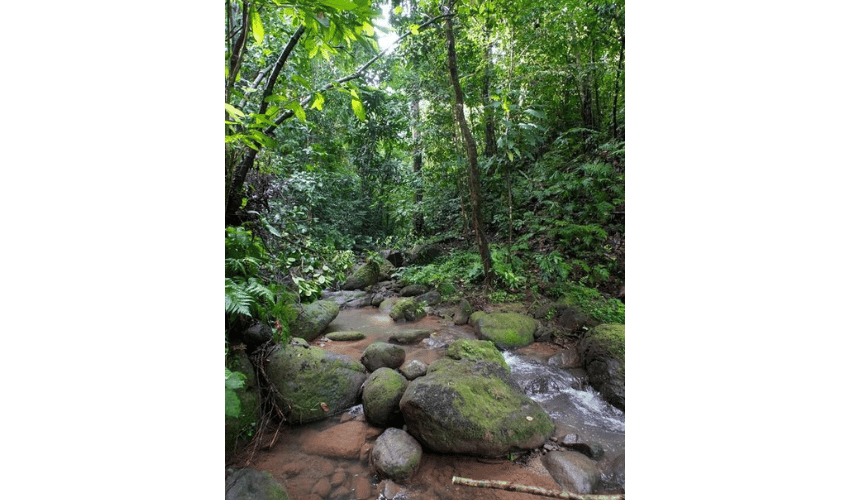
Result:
[433,393]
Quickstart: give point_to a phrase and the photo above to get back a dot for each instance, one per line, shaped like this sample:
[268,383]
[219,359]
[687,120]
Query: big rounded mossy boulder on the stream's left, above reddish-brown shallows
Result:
[312,383]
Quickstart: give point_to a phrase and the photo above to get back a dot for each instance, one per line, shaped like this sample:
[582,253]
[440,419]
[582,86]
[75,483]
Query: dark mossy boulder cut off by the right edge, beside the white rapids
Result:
[603,354]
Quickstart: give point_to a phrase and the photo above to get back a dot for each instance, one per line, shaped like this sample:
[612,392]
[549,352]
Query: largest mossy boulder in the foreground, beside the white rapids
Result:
[472,406]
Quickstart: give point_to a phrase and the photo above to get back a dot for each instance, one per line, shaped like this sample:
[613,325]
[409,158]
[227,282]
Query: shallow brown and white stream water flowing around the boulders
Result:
[328,460]
